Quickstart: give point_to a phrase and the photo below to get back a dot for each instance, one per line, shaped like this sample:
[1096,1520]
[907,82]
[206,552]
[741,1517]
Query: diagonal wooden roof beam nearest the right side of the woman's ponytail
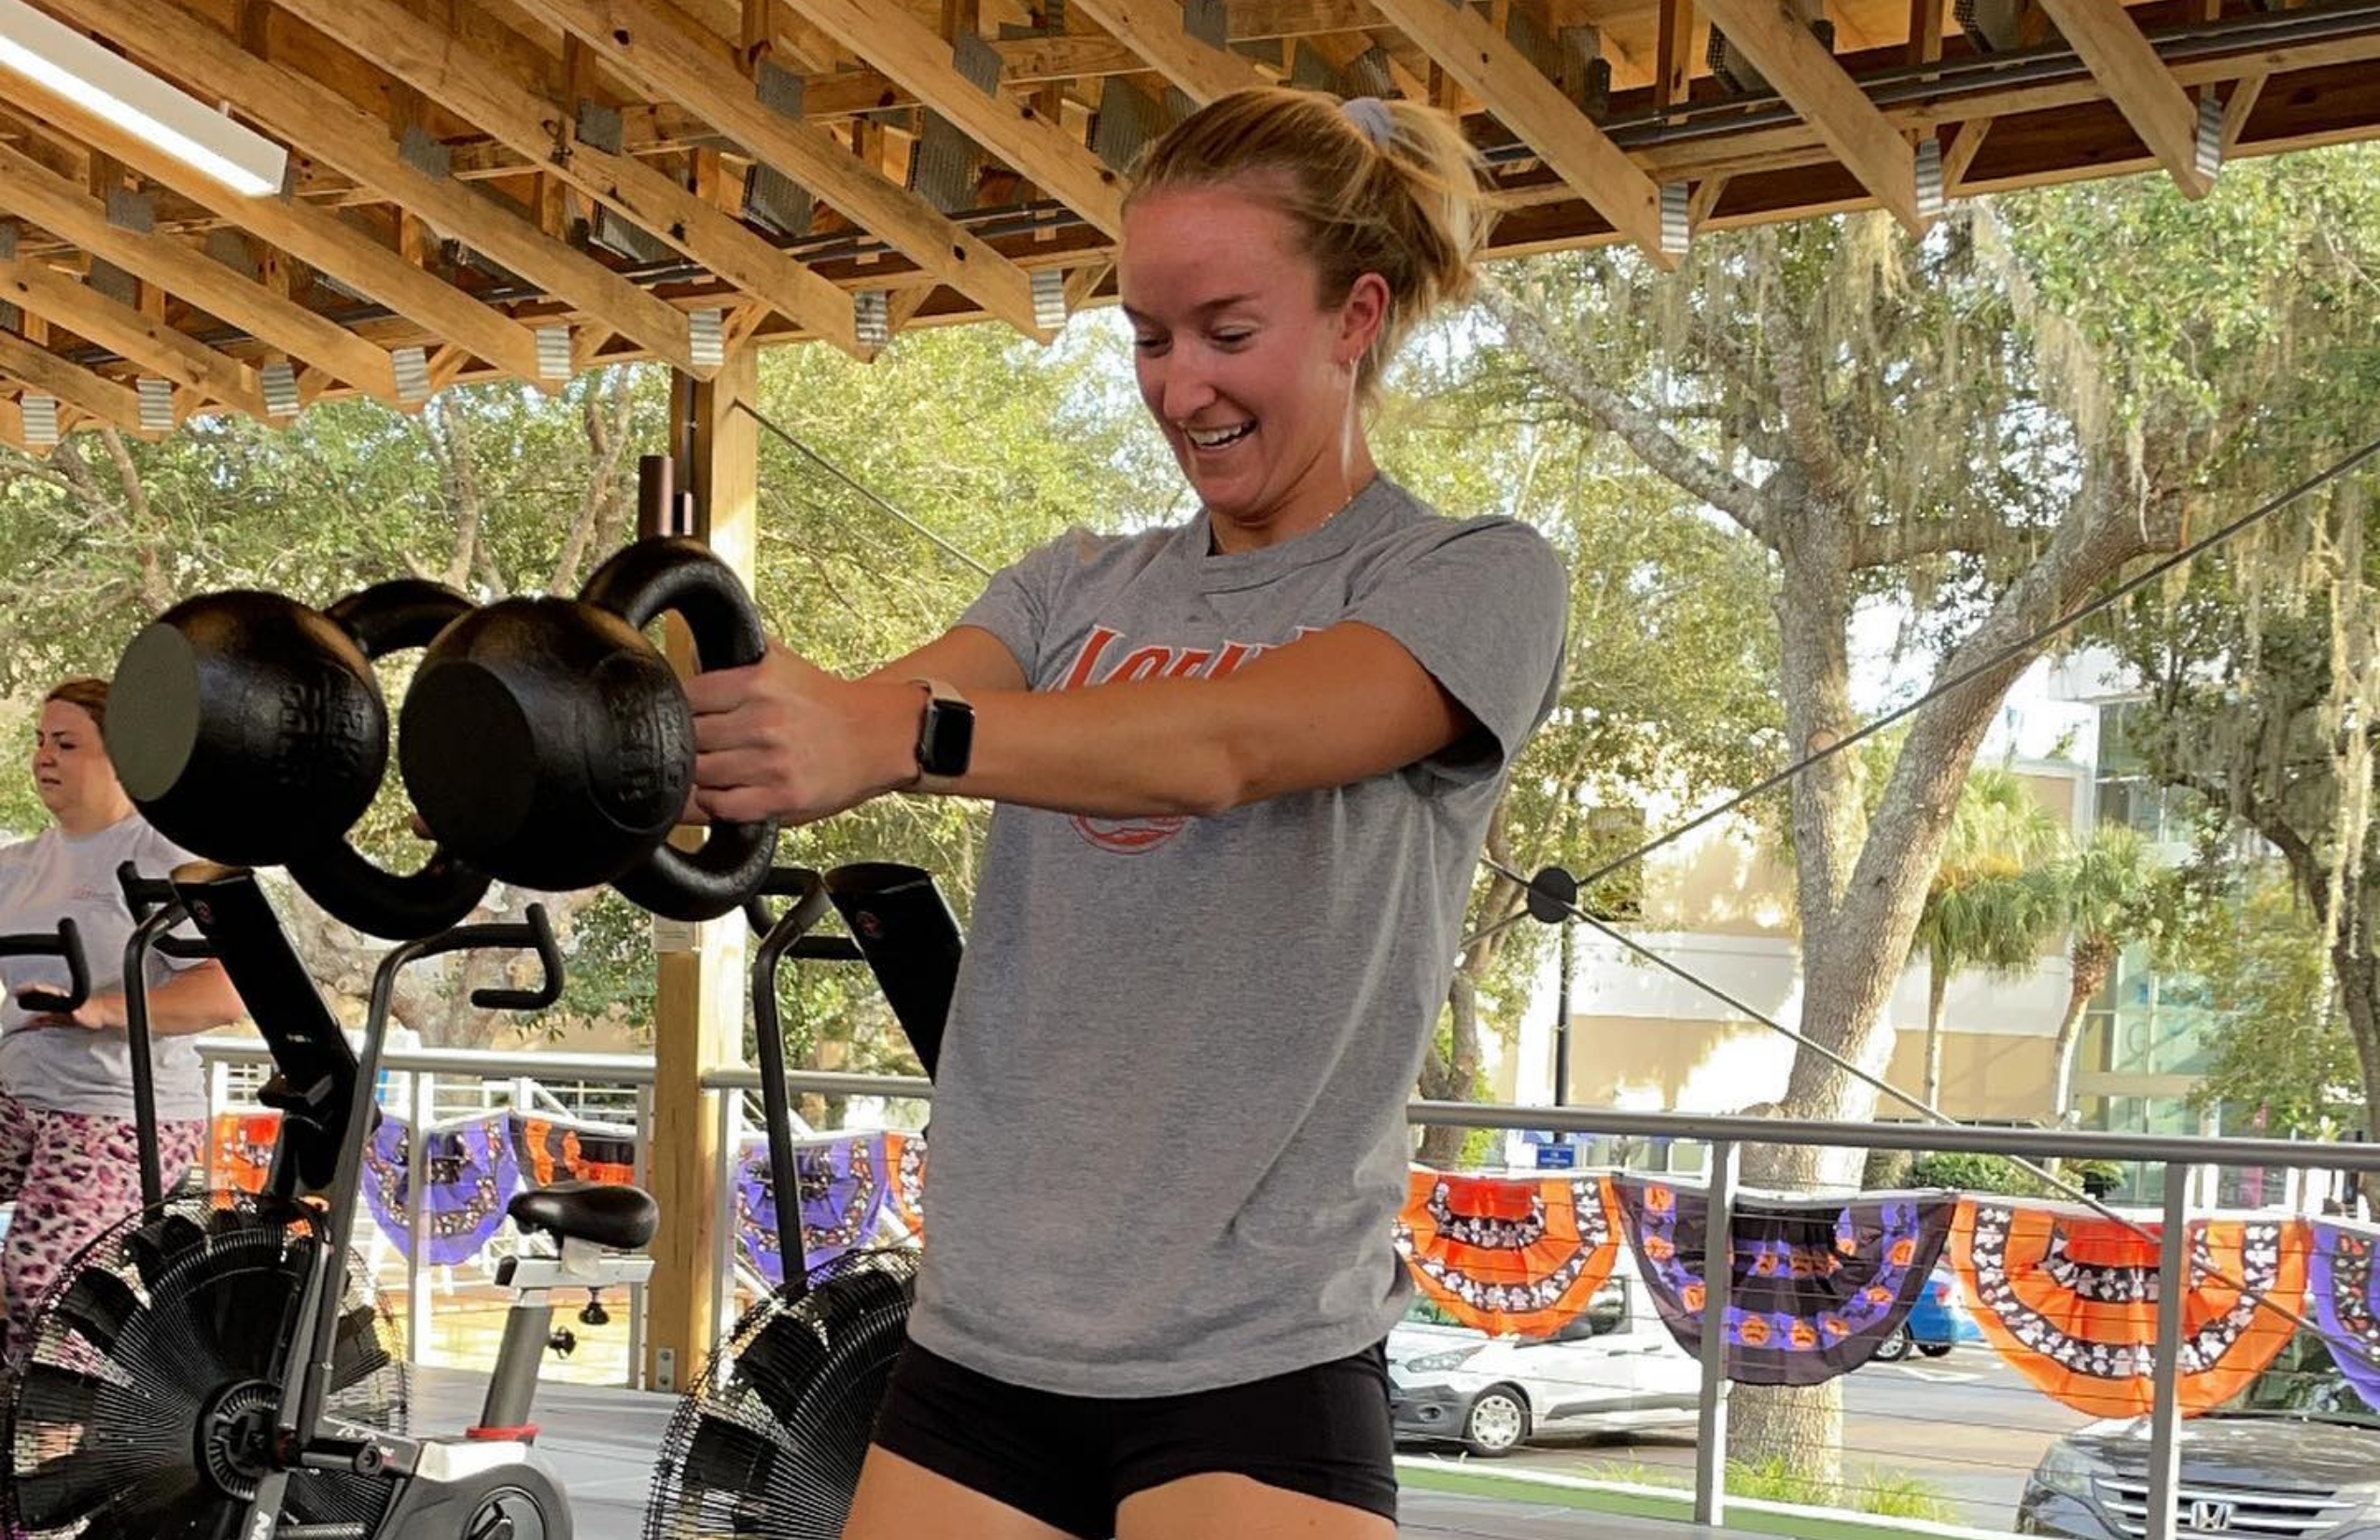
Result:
[1532,106]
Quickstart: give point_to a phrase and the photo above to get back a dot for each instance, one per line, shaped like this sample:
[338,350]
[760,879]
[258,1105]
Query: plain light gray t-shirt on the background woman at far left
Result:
[75,1068]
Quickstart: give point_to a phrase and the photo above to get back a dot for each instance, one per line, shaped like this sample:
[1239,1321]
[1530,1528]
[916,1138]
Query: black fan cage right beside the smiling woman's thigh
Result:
[770,1439]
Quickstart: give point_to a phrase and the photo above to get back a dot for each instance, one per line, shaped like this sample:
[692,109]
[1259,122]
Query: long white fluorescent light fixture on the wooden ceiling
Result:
[63,61]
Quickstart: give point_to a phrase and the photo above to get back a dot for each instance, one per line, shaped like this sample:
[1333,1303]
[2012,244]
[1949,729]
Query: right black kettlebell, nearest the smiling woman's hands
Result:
[549,744]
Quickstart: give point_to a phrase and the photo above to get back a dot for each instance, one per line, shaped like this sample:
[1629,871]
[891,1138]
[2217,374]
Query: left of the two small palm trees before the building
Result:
[1988,906]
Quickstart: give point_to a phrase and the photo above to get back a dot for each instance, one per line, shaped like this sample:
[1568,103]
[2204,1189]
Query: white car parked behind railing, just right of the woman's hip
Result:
[1612,1367]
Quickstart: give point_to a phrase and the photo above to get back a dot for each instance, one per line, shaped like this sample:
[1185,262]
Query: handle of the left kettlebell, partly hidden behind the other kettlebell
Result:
[382,620]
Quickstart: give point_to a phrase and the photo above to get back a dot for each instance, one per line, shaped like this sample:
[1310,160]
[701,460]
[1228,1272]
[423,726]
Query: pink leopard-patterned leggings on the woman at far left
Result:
[73,1177]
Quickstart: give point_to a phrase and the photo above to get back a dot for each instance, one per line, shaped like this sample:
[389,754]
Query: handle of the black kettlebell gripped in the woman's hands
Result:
[672,575]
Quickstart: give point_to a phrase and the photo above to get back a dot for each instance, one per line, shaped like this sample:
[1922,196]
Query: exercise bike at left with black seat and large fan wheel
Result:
[196,1372]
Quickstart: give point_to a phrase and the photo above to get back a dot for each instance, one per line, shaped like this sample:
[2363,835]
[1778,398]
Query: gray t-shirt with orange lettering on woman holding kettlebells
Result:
[1170,1127]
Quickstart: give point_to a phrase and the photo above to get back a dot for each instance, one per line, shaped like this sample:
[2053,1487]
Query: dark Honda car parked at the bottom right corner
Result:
[2291,1458]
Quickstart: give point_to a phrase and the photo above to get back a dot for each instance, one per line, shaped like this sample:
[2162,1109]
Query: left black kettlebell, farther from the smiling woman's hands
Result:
[251,732]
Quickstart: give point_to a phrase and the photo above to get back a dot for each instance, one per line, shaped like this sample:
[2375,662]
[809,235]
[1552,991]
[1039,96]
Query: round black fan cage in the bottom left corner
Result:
[168,1327]
